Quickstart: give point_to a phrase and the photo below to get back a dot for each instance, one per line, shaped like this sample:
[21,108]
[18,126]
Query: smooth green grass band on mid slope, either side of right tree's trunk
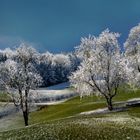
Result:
[75,106]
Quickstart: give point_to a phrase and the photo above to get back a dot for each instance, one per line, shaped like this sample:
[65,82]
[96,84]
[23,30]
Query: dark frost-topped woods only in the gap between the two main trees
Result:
[55,68]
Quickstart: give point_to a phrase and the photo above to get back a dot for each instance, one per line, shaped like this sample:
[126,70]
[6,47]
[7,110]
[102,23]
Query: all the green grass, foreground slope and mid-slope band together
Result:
[52,123]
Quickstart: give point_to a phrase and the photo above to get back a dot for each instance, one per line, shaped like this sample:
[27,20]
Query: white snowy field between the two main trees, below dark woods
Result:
[57,93]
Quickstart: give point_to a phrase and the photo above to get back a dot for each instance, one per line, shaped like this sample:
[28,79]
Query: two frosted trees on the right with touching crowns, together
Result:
[104,67]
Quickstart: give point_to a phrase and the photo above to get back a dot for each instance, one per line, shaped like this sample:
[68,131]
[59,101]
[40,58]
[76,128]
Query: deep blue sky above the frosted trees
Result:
[58,25]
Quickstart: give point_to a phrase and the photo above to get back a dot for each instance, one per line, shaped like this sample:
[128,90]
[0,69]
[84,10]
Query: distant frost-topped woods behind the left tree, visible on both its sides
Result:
[53,68]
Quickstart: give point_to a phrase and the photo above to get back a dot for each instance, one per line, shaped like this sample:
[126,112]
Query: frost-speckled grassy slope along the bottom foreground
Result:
[82,128]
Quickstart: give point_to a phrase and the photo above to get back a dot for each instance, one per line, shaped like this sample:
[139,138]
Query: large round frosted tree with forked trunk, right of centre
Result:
[102,71]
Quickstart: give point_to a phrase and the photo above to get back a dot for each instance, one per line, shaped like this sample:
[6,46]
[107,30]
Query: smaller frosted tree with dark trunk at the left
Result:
[20,76]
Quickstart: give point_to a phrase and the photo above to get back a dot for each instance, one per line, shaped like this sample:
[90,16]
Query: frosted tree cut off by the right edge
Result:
[132,46]
